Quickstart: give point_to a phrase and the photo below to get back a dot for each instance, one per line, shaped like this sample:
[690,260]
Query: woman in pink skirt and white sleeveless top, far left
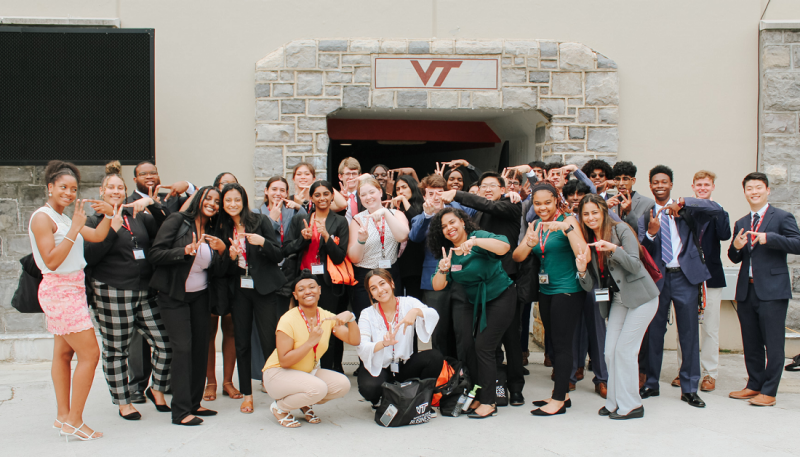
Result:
[57,244]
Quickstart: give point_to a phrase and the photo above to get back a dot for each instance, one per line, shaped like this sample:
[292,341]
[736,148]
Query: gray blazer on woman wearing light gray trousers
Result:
[636,287]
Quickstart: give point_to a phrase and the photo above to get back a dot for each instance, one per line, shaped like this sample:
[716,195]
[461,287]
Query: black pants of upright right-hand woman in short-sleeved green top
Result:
[560,315]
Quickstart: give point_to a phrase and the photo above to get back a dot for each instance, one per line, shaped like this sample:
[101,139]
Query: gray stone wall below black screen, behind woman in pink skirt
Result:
[22,191]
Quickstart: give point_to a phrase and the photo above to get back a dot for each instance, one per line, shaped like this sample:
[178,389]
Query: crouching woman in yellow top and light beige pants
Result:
[292,375]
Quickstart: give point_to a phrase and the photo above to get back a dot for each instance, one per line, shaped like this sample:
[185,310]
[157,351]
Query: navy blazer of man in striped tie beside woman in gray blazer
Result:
[702,211]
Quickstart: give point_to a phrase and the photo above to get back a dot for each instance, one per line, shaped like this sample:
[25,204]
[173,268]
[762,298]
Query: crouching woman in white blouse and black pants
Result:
[388,329]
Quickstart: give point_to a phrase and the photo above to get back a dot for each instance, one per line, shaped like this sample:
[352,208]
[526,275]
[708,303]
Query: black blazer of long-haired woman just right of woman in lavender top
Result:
[262,261]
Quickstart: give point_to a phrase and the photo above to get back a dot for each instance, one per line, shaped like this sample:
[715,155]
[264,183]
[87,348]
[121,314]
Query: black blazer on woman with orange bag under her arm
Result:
[336,226]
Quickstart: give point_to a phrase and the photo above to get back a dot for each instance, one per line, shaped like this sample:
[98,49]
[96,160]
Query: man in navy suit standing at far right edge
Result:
[763,289]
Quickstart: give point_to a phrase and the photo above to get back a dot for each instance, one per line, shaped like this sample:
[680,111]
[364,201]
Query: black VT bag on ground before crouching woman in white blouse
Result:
[405,403]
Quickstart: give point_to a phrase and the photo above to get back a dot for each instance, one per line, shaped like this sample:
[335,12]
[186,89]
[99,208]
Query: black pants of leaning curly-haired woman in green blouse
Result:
[479,347]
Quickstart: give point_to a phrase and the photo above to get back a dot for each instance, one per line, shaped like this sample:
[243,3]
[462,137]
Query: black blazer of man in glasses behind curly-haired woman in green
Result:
[500,217]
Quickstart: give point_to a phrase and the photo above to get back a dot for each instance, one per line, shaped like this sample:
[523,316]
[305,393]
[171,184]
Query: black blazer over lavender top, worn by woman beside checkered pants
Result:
[172,266]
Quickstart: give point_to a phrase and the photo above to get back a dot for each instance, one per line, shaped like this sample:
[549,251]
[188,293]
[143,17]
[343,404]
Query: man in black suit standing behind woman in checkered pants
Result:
[145,175]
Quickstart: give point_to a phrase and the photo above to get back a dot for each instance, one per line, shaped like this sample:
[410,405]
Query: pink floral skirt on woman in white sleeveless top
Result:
[63,300]
